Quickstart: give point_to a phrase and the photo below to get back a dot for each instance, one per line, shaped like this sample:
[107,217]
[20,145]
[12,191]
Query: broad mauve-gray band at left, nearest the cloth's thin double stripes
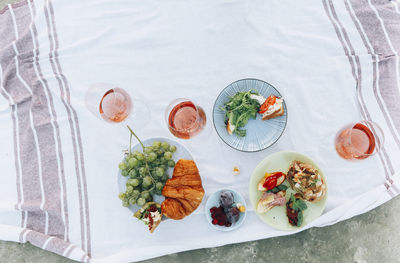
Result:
[43,127]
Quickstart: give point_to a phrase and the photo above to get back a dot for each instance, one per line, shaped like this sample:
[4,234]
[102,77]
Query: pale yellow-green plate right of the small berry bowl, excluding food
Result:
[276,217]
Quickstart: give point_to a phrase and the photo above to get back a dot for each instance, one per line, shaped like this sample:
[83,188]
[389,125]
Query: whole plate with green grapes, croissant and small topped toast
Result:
[158,178]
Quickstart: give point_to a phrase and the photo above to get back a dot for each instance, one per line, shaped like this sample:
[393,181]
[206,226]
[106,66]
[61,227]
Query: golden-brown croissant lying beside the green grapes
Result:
[183,192]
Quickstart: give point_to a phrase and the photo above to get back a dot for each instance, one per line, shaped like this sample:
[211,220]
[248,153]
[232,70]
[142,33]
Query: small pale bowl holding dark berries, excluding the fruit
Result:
[213,200]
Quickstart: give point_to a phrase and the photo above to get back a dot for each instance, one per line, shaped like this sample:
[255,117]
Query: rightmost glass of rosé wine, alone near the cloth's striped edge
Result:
[358,141]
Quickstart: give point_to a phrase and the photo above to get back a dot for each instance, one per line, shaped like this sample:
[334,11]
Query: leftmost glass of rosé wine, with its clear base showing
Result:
[113,104]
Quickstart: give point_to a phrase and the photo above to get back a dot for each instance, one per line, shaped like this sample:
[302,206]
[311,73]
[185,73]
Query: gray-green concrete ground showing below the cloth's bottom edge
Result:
[371,237]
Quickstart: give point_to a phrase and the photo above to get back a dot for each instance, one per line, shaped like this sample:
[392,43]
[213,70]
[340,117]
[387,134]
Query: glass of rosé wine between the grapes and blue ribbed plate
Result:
[184,118]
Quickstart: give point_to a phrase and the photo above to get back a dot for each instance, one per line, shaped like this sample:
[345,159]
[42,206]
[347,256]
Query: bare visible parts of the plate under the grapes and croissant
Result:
[181,153]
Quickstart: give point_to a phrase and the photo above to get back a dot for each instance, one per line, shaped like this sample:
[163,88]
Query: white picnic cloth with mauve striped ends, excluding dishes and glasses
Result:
[58,188]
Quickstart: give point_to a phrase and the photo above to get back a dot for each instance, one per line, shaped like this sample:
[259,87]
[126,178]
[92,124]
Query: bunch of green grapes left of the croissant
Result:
[146,172]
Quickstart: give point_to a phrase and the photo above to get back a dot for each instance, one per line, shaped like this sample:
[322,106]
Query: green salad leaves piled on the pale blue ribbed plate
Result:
[238,110]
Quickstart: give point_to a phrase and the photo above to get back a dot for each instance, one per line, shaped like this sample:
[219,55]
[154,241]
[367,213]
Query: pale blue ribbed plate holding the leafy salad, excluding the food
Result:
[260,134]
